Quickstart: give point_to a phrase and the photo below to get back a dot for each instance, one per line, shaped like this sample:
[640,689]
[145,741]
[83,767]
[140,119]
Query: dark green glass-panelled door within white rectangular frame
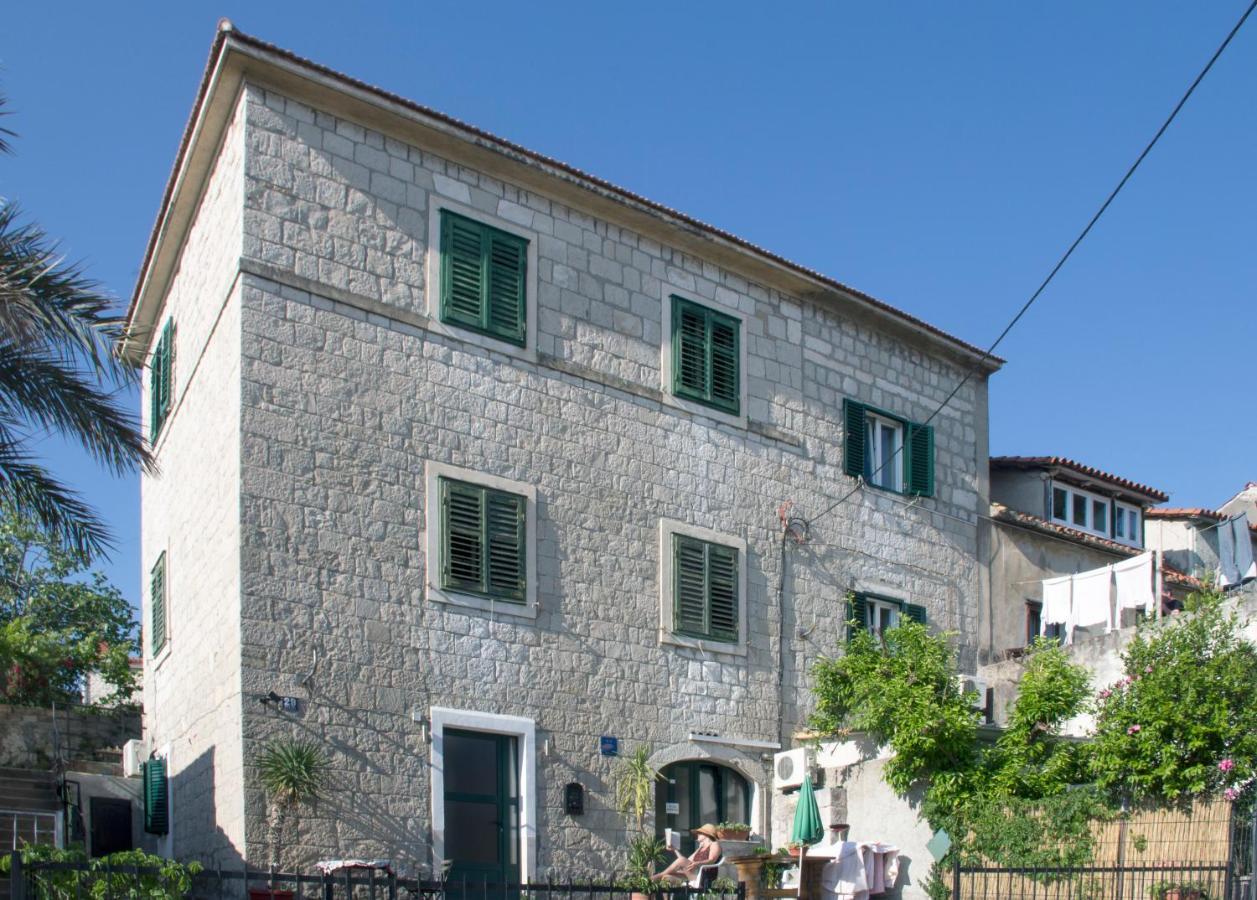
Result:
[482,808]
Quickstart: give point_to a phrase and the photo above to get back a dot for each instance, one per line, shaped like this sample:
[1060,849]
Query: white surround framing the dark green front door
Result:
[521,728]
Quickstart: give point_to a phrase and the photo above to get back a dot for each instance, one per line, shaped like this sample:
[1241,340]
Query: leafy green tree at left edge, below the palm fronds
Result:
[58,622]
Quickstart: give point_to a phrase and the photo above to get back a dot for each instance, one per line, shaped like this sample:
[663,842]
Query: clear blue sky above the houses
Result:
[938,156]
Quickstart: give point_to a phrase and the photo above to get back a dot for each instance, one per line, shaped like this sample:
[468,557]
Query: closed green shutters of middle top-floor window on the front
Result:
[707,356]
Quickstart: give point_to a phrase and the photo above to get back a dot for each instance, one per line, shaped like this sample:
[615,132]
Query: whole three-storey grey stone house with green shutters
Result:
[480,459]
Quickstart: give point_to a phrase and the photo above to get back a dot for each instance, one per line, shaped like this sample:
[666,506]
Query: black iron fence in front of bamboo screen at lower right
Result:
[1166,882]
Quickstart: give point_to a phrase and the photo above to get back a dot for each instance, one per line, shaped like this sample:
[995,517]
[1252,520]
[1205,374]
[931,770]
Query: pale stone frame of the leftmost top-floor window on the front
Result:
[438,203]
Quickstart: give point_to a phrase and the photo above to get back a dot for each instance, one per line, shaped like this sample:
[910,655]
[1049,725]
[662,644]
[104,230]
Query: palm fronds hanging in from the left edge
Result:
[60,371]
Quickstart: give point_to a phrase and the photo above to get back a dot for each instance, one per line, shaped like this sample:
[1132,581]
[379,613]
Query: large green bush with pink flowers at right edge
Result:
[1183,720]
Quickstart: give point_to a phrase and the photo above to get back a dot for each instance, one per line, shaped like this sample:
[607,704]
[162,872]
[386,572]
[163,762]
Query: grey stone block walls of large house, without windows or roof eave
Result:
[292,498]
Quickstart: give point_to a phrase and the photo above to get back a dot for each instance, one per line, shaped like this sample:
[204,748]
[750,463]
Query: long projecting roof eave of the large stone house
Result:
[237,57]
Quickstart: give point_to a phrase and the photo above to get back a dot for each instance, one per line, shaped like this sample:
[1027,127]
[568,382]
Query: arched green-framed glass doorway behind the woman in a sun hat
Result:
[698,791]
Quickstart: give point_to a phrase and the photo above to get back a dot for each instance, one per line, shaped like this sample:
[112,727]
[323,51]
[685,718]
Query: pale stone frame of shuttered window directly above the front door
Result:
[432,541]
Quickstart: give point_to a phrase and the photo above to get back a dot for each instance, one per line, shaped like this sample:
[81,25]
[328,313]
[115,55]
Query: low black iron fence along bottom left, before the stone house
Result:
[47,881]
